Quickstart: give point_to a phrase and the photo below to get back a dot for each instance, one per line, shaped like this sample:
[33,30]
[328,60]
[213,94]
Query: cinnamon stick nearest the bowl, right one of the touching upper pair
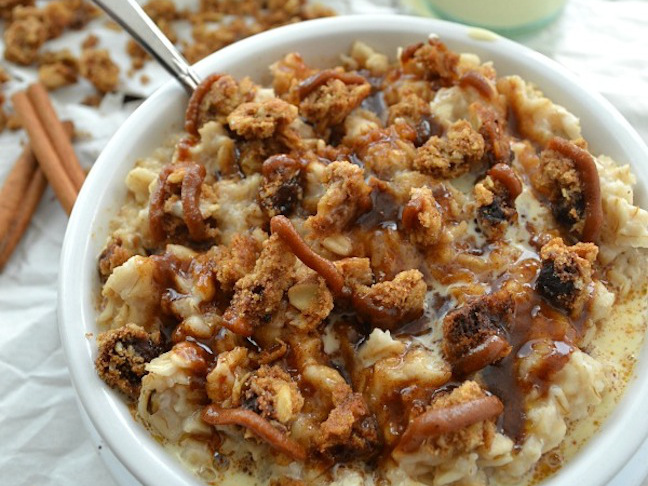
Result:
[45,110]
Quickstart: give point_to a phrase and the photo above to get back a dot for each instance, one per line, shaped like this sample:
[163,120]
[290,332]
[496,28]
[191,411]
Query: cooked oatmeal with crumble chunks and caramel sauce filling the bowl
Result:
[402,268]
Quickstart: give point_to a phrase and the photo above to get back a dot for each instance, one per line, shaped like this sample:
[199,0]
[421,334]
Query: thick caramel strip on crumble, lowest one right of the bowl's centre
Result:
[437,422]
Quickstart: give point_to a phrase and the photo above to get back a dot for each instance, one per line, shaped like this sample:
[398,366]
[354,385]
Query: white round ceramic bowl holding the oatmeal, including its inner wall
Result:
[320,42]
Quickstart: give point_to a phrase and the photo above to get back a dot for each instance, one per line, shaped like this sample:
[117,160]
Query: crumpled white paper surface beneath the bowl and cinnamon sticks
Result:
[42,439]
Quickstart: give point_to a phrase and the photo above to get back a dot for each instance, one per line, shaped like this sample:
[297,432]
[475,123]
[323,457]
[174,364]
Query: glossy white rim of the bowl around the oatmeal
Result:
[147,462]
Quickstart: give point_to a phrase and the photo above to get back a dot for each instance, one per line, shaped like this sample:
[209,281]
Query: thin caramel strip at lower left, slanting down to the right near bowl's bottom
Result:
[261,427]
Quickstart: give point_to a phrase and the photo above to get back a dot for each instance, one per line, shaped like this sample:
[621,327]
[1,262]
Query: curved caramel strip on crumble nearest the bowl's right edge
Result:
[584,164]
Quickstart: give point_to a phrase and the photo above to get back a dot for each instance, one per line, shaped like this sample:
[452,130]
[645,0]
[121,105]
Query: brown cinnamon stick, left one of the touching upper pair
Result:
[49,160]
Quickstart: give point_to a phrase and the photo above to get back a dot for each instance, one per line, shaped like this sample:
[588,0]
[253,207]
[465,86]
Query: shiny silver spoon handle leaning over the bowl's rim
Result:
[129,15]
